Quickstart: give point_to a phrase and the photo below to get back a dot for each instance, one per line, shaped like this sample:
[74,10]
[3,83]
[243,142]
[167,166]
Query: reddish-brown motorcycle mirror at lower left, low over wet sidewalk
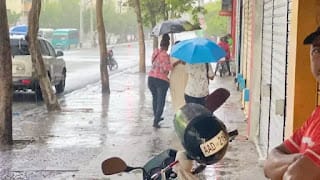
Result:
[113,165]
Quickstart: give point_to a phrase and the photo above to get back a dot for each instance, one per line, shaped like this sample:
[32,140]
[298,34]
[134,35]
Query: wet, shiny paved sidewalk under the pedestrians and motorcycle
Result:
[71,144]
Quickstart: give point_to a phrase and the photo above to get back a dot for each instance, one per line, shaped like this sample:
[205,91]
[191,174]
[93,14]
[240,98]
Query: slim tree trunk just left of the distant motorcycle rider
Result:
[104,75]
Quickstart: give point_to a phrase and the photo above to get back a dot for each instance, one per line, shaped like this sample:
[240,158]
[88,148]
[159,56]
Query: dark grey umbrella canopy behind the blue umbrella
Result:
[173,26]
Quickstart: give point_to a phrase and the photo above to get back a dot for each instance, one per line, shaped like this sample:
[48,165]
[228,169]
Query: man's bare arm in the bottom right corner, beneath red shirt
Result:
[302,168]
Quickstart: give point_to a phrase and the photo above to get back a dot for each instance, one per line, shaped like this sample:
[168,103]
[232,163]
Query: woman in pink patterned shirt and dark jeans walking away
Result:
[158,81]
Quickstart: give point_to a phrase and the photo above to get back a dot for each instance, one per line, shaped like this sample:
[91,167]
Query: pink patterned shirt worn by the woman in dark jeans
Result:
[160,65]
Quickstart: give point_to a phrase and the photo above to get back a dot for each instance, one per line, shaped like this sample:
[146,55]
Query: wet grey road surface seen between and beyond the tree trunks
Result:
[83,68]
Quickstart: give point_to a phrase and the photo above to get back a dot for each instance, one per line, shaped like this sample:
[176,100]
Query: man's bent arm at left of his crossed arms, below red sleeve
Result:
[278,162]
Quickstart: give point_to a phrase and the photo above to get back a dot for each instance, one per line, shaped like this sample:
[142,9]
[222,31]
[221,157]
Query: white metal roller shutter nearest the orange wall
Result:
[279,69]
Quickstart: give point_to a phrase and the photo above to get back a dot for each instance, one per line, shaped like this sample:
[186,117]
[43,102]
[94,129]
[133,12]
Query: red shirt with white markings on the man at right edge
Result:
[306,140]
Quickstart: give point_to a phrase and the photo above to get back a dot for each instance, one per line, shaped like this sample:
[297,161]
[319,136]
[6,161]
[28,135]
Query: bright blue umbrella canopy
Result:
[197,50]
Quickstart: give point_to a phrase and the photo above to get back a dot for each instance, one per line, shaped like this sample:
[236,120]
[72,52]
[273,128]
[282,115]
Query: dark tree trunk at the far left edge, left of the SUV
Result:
[5,79]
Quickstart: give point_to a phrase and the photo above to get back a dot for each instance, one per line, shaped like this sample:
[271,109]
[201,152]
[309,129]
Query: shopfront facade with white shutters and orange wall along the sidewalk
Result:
[273,72]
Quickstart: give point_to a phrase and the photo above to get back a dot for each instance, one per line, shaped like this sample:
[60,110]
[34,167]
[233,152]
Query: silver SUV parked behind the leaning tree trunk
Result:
[23,73]
